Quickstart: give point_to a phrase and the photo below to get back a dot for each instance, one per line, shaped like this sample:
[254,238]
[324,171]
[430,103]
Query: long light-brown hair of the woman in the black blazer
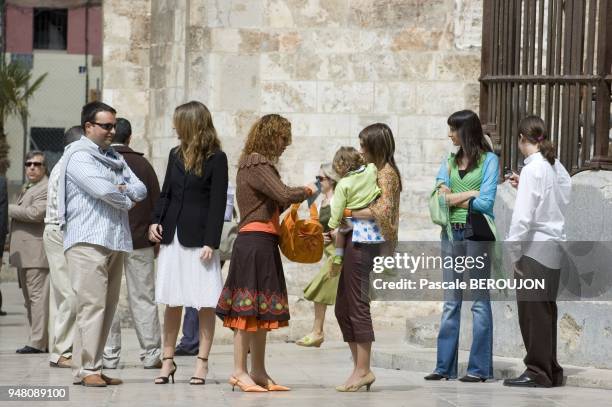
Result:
[197,133]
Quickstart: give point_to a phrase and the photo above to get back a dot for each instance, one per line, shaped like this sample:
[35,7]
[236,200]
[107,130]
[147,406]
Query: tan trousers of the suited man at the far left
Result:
[34,284]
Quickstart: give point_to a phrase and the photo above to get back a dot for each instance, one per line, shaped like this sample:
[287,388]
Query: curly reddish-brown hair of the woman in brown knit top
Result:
[269,136]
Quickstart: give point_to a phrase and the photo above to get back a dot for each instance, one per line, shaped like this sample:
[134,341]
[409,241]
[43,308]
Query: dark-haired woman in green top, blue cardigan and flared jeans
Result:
[468,176]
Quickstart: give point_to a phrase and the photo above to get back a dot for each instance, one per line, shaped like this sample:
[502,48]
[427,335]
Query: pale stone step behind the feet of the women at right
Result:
[420,359]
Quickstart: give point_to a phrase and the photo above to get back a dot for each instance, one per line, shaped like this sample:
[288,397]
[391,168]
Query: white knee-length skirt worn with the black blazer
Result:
[183,279]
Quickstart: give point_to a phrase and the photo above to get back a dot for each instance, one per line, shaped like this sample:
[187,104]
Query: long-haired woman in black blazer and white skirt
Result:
[187,221]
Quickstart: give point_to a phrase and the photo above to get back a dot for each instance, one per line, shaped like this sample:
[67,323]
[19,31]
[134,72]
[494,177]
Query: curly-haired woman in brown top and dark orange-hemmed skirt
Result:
[254,298]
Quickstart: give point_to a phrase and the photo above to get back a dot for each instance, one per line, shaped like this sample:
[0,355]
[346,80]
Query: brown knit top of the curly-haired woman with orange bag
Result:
[259,190]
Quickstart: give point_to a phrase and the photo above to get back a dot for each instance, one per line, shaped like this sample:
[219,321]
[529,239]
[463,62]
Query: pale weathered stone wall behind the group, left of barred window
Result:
[330,66]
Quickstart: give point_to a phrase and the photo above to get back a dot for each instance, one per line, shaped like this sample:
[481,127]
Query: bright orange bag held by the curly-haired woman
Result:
[301,240]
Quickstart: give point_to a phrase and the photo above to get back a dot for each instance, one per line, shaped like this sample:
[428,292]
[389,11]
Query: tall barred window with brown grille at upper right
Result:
[551,58]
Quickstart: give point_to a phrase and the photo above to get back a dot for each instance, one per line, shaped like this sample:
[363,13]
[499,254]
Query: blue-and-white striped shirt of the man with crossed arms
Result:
[96,210]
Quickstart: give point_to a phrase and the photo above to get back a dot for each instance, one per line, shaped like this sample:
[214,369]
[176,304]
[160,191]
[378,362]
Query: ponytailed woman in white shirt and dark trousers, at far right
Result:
[538,224]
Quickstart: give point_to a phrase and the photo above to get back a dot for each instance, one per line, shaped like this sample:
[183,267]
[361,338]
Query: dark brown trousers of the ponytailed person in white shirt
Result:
[537,312]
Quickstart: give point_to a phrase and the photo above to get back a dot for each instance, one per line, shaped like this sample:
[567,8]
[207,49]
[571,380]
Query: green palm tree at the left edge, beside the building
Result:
[15,91]
